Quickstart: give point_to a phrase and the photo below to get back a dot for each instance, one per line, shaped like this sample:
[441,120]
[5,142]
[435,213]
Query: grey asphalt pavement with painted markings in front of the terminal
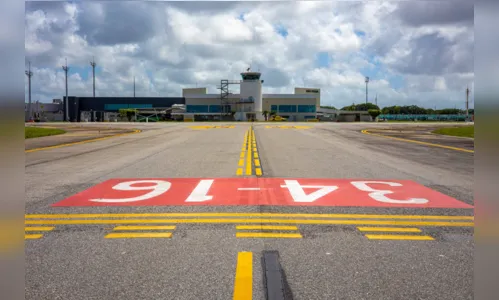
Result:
[207,251]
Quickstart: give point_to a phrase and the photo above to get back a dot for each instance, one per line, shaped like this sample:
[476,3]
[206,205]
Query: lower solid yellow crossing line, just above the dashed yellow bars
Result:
[230,221]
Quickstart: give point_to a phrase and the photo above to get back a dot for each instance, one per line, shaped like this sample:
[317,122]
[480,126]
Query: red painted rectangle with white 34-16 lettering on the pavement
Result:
[225,191]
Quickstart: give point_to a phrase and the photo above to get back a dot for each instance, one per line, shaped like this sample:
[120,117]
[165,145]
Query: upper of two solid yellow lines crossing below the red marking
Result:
[147,215]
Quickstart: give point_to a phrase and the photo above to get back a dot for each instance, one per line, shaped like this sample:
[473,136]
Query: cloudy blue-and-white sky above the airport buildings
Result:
[415,52]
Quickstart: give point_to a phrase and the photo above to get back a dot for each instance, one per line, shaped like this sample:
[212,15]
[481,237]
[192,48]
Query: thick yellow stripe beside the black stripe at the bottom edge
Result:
[243,281]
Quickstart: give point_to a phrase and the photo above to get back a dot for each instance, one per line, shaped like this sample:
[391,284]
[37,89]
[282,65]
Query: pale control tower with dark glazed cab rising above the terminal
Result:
[251,91]
